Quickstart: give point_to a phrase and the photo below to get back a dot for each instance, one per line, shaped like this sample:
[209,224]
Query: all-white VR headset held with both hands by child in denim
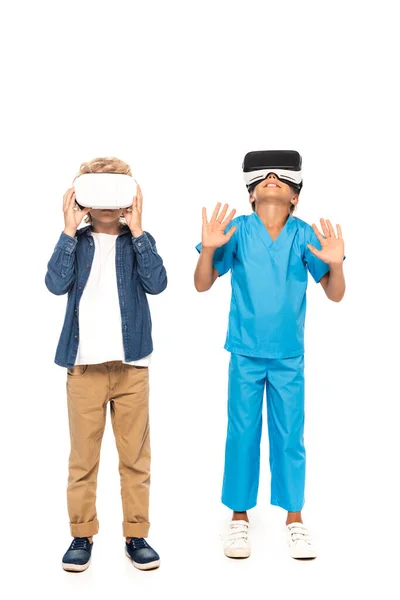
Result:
[104,190]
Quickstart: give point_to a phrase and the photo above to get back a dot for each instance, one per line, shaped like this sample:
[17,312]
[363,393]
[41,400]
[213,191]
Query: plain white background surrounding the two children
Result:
[181,91]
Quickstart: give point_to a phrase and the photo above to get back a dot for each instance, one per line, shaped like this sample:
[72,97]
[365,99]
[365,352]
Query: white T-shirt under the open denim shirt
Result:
[100,324]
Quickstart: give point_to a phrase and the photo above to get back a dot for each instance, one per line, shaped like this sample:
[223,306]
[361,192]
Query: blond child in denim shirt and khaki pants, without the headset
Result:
[107,268]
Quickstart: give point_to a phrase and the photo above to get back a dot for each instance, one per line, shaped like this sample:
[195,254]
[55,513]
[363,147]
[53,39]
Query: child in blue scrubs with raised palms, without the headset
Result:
[269,254]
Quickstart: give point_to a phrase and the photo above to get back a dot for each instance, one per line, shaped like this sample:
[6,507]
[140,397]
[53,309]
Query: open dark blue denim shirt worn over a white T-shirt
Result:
[139,270]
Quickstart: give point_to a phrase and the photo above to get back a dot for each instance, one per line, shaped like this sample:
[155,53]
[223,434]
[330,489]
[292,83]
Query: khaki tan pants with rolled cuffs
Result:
[89,389]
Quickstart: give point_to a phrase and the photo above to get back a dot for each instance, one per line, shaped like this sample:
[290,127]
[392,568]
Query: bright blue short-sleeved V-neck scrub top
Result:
[269,281]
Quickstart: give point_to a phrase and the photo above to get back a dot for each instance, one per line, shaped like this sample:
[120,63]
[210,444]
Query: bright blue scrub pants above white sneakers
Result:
[284,382]
